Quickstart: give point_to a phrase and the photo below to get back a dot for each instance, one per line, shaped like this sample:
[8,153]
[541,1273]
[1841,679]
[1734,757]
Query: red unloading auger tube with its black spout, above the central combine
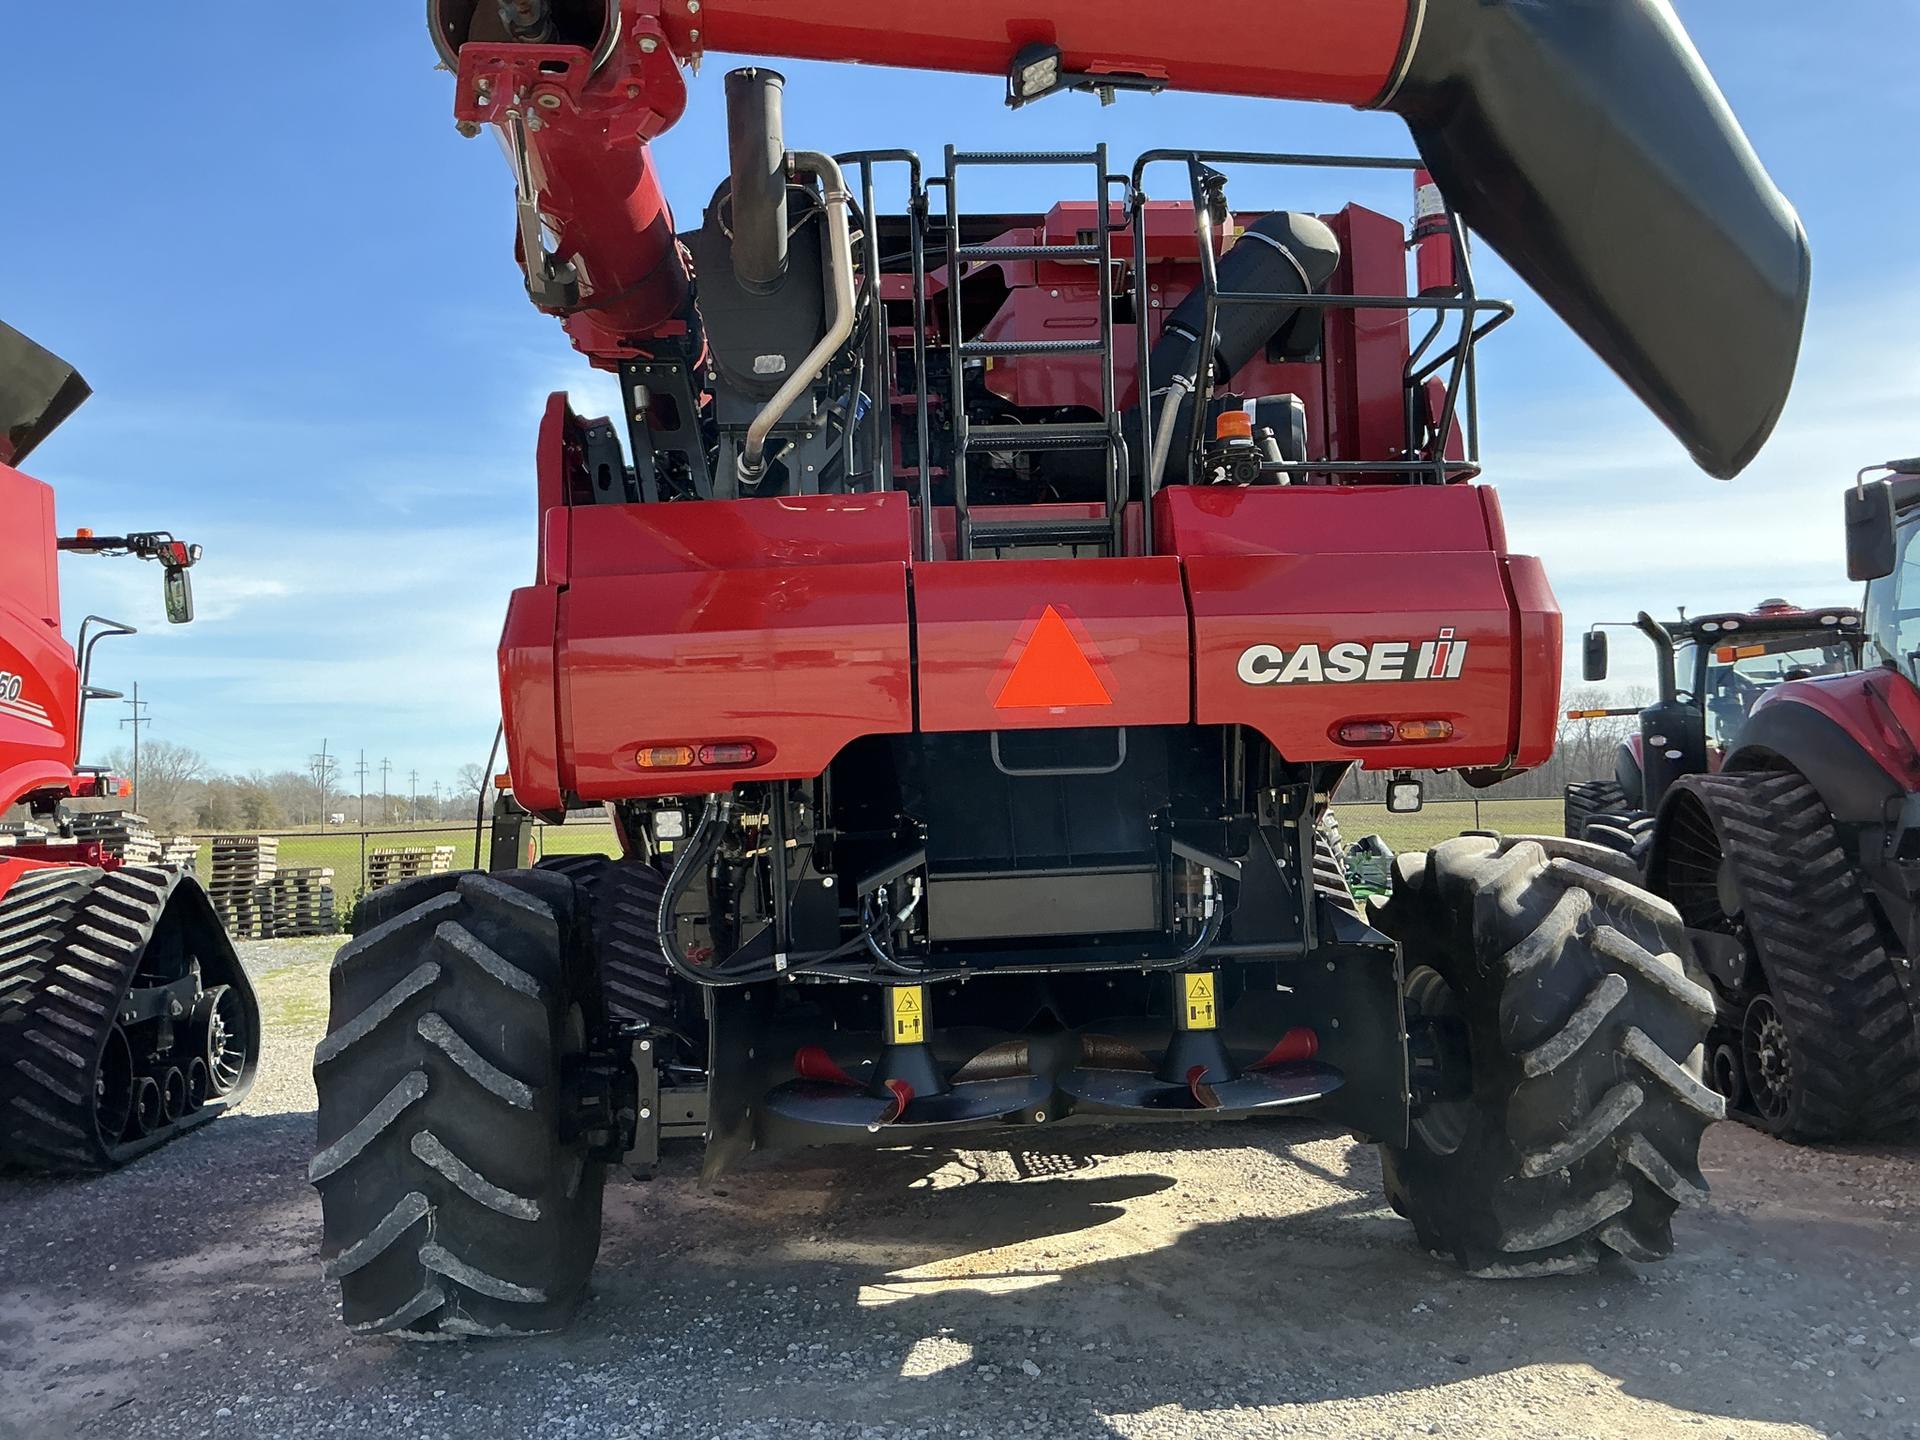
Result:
[1587,143]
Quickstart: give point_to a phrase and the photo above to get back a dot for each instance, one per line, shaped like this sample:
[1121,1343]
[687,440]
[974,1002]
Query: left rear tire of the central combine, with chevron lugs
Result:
[454,1197]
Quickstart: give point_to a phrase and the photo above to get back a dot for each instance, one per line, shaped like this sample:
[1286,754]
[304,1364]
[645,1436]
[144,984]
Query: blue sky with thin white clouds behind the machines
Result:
[293,289]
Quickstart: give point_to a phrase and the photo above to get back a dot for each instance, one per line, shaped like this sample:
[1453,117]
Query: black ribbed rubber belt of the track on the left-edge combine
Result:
[70,949]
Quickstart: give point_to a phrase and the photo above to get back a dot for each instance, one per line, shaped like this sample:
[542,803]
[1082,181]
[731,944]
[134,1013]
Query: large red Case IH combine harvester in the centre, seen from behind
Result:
[969,638]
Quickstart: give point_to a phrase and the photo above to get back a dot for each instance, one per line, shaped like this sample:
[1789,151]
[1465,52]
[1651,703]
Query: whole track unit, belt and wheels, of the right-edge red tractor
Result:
[1835,1055]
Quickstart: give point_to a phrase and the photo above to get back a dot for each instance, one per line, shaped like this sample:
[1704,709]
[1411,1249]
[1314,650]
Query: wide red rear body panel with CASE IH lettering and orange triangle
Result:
[804,625]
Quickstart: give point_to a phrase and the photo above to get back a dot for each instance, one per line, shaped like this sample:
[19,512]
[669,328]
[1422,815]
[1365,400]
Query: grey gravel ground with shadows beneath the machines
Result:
[1245,1282]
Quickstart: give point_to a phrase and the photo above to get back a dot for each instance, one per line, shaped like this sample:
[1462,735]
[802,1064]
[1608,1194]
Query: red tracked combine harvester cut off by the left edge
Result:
[126,1017]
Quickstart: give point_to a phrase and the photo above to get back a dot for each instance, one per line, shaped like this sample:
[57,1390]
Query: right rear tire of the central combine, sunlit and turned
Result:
[1583,1036]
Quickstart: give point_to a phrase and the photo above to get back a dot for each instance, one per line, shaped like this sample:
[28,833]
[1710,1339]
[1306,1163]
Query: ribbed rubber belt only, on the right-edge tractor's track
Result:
[1850,1020]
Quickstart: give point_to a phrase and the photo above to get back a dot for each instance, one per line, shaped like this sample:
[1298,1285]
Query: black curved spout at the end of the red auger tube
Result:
[1589,145]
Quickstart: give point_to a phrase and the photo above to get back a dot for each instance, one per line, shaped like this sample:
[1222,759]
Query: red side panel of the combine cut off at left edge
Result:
[39,679]
